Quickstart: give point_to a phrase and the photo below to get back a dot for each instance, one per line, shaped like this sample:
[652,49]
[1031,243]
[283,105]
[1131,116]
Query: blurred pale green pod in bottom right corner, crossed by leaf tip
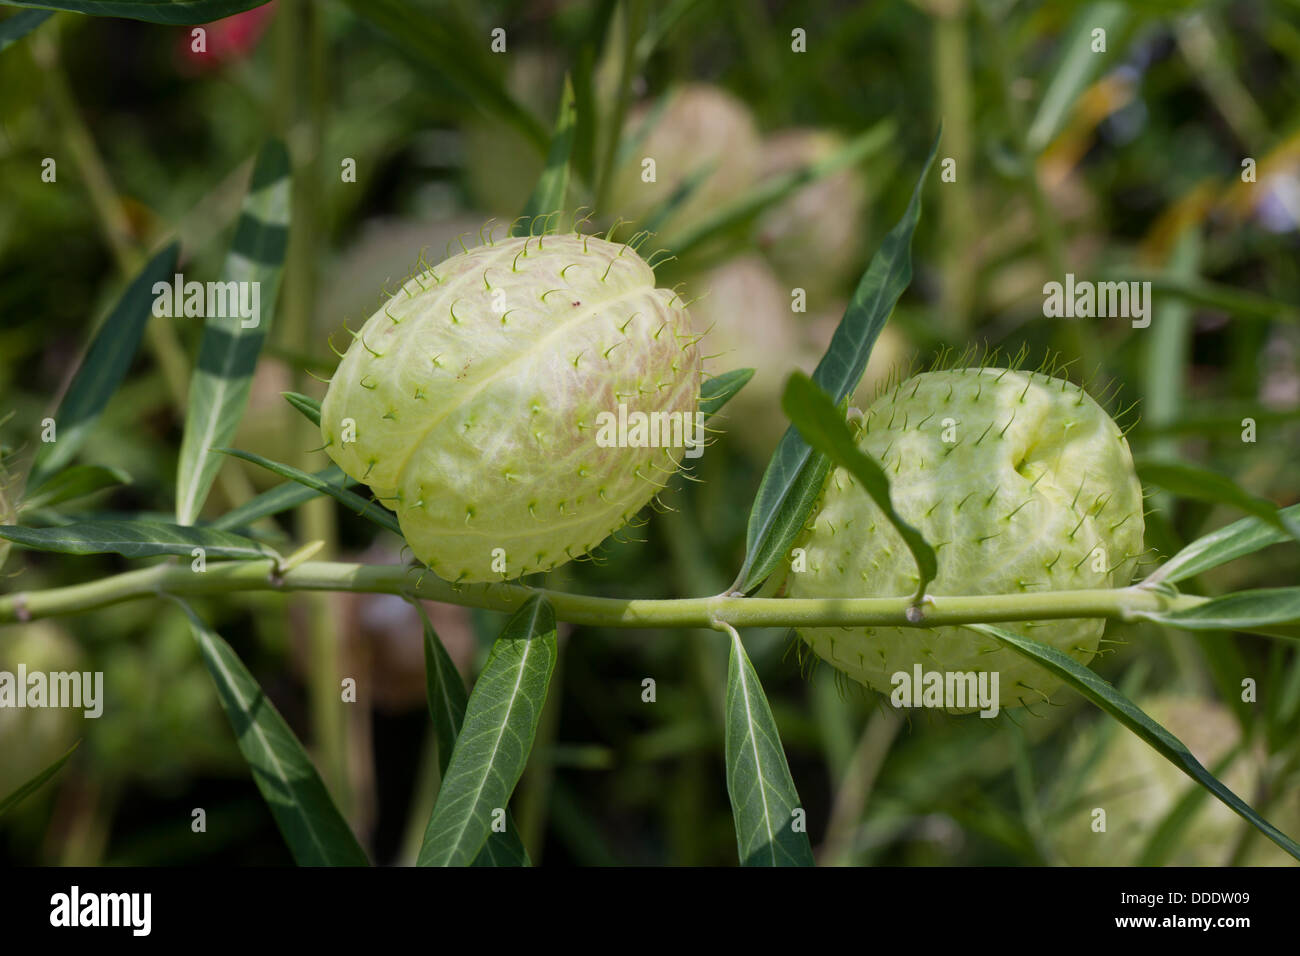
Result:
[1138,789]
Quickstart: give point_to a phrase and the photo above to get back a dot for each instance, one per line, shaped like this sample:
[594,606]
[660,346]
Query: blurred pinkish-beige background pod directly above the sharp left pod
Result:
[700,127]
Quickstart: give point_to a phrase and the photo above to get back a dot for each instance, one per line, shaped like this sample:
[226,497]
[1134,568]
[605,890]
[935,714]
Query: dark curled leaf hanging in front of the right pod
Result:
[825,429]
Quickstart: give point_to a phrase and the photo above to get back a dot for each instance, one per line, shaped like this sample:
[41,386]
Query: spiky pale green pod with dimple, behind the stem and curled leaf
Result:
[1022,485]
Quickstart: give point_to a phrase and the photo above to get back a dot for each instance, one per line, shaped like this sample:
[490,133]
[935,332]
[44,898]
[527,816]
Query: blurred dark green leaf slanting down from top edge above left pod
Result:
[453,54]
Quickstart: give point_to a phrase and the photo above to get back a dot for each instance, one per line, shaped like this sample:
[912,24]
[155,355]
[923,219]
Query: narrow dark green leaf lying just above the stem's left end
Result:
[137,539]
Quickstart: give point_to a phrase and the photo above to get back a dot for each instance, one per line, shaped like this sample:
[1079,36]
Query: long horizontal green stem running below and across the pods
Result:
[226,578]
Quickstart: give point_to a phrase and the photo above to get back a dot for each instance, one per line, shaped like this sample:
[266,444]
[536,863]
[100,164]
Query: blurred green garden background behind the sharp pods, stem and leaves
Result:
[1115,165]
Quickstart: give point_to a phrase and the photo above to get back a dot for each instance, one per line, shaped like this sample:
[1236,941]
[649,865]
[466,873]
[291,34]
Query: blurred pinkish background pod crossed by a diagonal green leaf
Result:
[814,239]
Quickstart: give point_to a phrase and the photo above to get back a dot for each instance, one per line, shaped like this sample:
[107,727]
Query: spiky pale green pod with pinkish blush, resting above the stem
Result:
[473,403]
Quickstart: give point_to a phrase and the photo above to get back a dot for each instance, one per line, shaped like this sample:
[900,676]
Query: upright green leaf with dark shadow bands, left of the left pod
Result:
[229,351]
